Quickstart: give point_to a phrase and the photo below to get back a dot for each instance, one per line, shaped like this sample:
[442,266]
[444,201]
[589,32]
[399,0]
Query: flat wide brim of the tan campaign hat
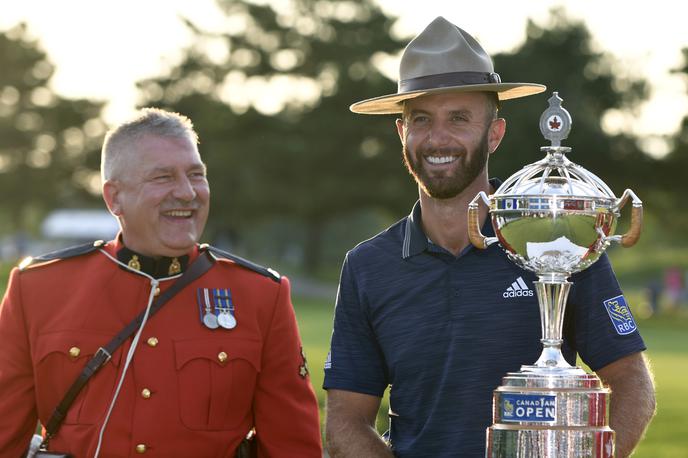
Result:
[392,103]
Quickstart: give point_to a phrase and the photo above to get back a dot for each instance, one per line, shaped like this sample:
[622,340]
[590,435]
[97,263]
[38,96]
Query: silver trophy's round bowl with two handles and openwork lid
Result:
[555,217]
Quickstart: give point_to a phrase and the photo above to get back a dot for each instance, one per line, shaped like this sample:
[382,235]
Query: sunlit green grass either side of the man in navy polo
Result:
[665,335]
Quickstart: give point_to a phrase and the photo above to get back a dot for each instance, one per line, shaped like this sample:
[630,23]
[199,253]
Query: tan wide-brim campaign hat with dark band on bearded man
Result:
[444,58]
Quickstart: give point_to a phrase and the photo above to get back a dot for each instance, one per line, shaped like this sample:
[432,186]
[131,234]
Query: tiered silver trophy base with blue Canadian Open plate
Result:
[547,413]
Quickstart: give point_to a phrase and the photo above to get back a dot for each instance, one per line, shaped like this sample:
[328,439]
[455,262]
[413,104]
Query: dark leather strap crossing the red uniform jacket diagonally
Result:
[201,265]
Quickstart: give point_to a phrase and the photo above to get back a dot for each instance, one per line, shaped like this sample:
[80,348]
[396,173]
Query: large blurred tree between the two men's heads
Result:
[273,115]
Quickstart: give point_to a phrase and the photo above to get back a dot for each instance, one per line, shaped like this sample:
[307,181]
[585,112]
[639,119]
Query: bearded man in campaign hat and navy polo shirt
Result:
[422,311]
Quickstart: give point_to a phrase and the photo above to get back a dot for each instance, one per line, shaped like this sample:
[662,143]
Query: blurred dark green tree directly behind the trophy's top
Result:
[561,55]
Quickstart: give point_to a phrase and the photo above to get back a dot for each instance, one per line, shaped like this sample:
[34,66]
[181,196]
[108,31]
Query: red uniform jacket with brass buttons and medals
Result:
[189,392]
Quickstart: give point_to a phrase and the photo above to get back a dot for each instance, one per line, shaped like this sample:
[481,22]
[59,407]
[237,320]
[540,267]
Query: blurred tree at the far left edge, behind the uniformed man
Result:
[48,144]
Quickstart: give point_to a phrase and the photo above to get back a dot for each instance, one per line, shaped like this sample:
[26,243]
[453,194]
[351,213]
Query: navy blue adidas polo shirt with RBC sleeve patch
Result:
[442,330]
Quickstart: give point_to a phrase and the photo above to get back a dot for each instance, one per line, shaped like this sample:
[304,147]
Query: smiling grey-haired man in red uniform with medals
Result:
[223,356]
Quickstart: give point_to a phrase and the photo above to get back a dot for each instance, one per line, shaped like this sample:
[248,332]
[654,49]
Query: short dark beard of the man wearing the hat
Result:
[447,185]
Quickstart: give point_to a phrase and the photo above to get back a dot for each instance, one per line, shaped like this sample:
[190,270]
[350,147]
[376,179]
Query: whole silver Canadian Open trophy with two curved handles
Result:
[554,218]
